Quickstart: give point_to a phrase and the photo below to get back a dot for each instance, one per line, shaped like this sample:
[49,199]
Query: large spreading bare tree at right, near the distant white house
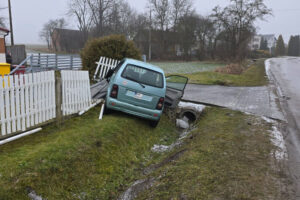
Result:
[237,21]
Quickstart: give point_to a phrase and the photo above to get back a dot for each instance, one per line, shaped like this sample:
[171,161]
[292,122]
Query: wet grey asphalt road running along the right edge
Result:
[286,74]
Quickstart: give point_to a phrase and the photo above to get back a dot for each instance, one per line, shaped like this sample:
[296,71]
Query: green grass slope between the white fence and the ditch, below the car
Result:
[85,157]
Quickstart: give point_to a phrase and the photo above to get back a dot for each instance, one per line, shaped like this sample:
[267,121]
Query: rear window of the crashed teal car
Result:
[143,76]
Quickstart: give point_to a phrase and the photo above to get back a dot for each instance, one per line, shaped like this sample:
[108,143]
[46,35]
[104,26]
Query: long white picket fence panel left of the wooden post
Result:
[26,101]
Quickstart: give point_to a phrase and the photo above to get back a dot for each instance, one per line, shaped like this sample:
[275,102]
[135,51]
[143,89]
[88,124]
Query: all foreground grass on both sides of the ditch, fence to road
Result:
[228,155]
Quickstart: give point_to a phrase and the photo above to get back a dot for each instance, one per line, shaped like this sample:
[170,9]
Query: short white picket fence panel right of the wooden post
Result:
[76,91]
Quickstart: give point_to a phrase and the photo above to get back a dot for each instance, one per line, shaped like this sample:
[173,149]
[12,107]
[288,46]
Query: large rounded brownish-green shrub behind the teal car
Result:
[113,46]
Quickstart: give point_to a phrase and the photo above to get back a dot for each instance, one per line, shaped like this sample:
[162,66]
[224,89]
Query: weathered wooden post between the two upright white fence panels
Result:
[58,98]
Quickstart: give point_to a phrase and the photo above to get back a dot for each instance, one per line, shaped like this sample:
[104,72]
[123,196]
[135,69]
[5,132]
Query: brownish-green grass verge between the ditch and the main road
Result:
[227,157]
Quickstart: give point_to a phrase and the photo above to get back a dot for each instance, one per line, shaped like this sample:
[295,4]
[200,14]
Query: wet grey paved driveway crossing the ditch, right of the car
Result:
[255,100]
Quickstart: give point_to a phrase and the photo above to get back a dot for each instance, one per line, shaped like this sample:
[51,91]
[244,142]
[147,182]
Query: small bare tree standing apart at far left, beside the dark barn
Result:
[46,33]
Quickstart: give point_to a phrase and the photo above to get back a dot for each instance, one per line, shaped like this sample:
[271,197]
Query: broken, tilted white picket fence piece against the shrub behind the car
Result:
[103,66]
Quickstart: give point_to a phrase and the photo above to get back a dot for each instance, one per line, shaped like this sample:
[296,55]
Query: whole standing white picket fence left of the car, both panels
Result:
[29,100]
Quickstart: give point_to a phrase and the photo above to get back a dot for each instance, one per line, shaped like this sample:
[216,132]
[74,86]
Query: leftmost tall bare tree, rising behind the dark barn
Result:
[81,11]
